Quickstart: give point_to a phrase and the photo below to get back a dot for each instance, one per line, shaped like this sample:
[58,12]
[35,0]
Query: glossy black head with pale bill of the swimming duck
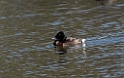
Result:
[60,36]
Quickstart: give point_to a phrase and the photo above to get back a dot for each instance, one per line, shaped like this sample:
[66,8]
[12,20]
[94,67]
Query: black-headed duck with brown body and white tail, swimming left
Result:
[60,39]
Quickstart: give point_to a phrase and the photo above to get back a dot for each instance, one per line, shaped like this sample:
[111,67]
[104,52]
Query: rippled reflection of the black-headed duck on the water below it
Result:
[62,52]
